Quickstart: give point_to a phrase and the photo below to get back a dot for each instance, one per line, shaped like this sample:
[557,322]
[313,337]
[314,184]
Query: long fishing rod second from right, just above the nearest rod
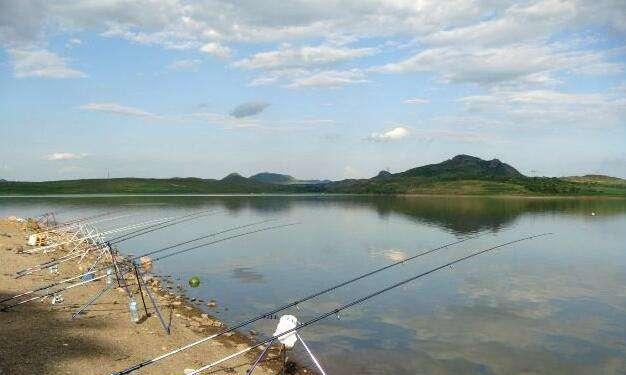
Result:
[291,304]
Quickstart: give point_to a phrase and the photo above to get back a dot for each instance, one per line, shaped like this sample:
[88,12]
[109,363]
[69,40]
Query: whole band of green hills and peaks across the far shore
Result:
[463,174]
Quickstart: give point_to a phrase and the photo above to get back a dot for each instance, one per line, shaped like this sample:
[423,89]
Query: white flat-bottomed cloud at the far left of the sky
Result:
[36,62]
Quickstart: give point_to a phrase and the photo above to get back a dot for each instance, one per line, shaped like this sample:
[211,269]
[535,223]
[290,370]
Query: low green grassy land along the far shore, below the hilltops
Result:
[535,186]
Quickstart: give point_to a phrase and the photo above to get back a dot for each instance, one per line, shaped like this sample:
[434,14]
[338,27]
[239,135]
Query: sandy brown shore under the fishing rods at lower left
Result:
[40,338]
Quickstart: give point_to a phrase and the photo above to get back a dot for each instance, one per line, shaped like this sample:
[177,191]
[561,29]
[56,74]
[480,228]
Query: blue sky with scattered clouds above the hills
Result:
[315,89]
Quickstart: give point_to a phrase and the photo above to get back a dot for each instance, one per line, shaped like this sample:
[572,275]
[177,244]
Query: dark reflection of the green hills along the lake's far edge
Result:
[459,215]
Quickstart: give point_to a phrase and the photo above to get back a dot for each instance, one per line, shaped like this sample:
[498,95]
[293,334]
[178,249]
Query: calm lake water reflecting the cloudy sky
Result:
[555,305]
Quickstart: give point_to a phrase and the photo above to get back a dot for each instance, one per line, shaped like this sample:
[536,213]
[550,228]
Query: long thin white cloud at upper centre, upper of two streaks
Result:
[305,56]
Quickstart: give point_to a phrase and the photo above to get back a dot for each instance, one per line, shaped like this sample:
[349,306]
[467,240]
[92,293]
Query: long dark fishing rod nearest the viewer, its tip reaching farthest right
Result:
[357,301]
